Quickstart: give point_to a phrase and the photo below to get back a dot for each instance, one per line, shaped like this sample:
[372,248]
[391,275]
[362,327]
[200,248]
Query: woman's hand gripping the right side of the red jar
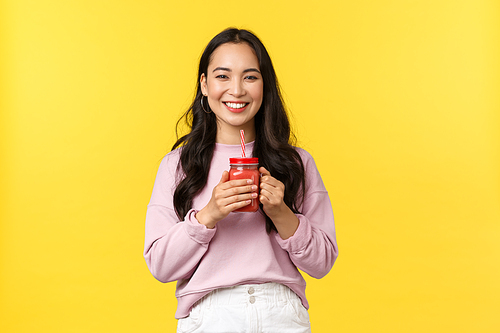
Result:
[272,192]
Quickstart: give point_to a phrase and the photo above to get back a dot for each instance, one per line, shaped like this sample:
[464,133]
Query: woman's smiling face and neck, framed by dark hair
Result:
[234,87]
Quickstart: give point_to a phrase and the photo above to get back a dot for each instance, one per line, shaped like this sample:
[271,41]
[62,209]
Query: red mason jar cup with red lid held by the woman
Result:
[246,168]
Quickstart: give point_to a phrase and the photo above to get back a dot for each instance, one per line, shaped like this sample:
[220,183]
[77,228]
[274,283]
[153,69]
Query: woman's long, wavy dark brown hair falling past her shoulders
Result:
[274,141]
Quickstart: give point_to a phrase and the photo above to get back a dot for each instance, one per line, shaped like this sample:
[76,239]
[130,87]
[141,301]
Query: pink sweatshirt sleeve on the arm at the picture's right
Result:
[313,247]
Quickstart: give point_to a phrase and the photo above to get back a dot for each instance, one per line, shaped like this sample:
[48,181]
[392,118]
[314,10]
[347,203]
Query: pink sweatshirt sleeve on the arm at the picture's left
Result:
[172,248]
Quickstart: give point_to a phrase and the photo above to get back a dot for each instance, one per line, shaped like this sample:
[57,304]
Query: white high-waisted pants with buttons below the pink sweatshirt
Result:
[259,308]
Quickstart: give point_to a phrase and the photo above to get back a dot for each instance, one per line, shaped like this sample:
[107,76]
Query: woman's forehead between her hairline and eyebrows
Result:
[234,56]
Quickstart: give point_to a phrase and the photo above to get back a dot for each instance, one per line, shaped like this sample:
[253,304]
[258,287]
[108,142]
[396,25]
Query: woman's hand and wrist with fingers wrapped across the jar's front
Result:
[227,196]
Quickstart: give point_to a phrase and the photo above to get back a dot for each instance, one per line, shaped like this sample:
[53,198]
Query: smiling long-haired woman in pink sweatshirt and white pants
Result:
[238,271]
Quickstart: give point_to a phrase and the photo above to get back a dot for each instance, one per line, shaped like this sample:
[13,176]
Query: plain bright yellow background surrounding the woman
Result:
[398,102]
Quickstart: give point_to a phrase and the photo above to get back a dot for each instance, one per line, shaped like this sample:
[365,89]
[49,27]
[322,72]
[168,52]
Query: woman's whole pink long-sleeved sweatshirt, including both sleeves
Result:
[238,250]
